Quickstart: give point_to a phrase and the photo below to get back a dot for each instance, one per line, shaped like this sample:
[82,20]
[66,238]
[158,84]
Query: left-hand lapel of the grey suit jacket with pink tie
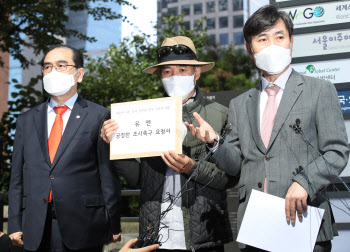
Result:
[253,105]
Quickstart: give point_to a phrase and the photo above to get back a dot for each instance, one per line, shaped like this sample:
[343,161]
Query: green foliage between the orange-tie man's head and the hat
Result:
[118,76]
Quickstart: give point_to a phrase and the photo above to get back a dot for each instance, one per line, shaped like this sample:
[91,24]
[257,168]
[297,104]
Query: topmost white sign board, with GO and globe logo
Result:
[319,14]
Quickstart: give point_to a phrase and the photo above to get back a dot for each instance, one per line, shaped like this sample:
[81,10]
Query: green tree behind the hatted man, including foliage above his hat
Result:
[118,76]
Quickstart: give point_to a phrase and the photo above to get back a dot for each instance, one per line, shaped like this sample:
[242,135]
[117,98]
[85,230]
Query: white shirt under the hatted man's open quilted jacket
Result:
[172,235]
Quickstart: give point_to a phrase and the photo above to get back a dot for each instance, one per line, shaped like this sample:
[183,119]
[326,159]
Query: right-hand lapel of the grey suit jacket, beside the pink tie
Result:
[290,95]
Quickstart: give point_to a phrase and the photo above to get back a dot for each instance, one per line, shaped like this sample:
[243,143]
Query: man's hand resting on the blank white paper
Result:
[295,201]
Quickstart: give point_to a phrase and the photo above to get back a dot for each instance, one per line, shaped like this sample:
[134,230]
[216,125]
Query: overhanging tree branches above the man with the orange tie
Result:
[44,23]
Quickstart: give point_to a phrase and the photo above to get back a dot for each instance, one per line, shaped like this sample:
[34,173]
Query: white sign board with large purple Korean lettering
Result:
[321,43]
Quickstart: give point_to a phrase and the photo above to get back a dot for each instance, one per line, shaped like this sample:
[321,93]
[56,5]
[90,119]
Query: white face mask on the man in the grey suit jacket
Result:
[273,59]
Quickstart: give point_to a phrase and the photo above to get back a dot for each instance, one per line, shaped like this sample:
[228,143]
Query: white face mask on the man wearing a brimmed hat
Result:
[179,85]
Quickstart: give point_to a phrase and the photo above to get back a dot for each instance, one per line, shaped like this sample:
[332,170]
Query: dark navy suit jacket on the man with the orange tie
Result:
[86,191]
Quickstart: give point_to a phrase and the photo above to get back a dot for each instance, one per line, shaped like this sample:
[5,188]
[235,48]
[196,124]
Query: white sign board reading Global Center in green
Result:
[335,71]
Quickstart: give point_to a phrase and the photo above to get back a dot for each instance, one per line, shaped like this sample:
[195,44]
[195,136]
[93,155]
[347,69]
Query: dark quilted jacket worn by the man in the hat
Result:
[204,203]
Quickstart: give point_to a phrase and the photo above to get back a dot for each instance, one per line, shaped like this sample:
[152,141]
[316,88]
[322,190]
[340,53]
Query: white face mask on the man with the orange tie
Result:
[56,83]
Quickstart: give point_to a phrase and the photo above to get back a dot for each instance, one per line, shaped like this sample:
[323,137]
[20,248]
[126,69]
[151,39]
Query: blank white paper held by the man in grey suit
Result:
[264,225]
